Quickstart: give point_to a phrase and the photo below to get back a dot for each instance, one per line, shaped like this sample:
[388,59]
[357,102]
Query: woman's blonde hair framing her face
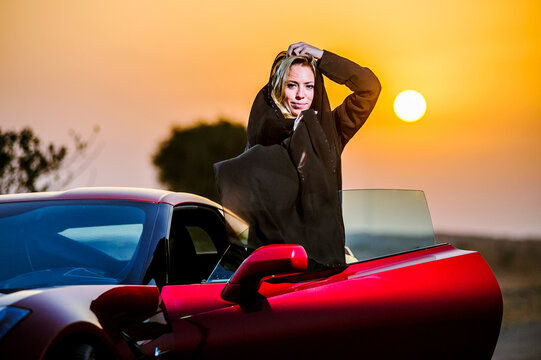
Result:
[279,79]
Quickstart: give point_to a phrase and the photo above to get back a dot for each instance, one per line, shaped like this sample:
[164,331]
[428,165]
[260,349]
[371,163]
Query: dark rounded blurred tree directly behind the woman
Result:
[185,160]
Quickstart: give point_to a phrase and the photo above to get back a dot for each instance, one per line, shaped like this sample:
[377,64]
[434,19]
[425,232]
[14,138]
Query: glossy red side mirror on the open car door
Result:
[266,261]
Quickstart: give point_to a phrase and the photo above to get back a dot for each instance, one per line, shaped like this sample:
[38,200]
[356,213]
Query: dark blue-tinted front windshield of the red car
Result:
[52,243]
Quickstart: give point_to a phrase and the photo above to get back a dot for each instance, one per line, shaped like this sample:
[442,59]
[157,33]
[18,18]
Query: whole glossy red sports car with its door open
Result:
[120,273]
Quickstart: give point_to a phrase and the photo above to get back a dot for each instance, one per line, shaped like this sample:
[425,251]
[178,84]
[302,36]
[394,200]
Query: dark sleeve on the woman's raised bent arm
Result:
[356,108]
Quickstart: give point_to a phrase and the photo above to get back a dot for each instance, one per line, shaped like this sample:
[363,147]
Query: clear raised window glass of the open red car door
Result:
[384,222]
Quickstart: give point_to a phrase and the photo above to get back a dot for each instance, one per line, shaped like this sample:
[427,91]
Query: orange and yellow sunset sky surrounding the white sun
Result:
[136,68]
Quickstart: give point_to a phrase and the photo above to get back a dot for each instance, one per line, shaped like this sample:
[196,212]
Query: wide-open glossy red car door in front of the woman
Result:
[417,300]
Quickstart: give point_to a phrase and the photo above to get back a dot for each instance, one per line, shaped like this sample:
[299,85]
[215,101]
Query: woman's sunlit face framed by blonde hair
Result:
[299,89]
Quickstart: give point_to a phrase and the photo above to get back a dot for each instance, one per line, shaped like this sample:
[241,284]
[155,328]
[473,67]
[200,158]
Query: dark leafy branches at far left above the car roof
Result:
[25,166]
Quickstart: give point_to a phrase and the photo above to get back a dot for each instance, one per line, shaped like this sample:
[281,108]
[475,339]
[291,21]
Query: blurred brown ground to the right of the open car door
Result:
[517,267]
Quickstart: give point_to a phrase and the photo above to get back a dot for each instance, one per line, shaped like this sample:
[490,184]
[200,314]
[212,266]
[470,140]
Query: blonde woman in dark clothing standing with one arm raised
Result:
[286,183]
